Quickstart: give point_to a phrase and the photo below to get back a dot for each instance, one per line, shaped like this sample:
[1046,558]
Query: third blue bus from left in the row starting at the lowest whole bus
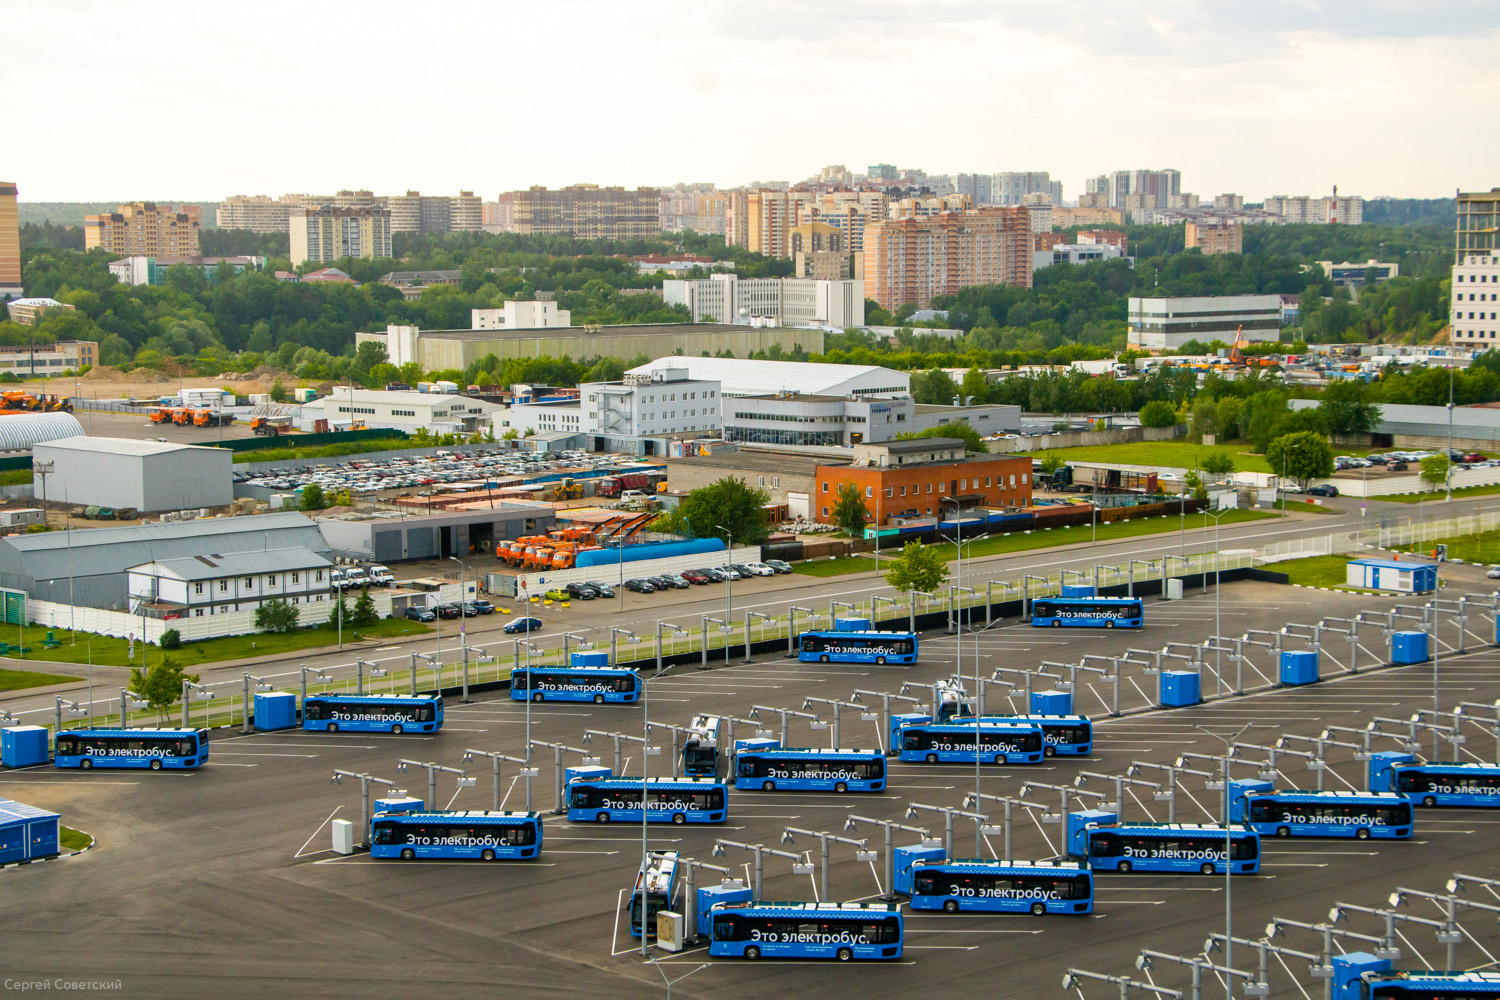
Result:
[1172,848]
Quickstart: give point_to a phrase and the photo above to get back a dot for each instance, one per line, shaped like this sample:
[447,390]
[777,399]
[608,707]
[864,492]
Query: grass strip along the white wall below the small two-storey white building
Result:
[112,653]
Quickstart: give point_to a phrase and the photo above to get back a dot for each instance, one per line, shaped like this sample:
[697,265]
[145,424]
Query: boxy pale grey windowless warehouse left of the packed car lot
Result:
[149,476]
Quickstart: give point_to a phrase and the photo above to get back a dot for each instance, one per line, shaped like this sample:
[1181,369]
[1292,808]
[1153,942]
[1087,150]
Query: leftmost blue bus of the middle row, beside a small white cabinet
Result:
[457,836]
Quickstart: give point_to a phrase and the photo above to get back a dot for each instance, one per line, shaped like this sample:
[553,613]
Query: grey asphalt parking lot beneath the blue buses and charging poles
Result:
[220,882]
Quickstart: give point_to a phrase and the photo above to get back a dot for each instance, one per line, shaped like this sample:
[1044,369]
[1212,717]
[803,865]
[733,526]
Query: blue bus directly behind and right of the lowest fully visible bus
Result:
[994,887]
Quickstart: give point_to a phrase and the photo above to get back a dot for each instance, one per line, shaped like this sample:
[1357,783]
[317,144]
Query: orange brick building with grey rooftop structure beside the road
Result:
[923,476]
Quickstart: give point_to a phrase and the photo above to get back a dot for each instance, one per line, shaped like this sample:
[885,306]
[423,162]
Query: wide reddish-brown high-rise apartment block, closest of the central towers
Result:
[916,259]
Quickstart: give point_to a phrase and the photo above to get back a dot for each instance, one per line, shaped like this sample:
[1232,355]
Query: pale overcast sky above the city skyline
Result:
[118,100]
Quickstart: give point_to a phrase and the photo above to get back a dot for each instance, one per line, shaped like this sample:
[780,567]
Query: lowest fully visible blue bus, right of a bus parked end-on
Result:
[806,930]
